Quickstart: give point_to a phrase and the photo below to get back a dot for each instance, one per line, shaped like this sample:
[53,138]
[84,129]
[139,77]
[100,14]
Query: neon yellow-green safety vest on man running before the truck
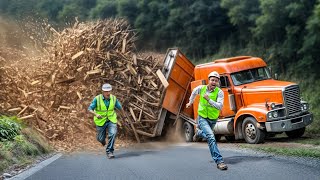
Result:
[205,110]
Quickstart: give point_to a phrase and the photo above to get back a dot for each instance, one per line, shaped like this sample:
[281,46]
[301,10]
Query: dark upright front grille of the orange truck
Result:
[292,100]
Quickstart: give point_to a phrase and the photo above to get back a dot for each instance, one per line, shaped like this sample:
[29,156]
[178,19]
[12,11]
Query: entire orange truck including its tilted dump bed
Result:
[255,105]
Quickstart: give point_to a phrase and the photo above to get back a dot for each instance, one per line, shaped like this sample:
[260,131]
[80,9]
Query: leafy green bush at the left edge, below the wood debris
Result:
[8,128]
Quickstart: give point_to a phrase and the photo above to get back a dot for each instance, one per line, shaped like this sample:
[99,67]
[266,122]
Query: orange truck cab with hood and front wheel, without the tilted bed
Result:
[254,103]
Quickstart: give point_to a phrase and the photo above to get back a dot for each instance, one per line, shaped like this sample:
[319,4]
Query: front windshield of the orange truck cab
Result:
[251,75]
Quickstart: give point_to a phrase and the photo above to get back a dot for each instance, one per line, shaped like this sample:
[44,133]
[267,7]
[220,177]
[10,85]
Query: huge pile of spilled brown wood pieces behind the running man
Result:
[55,95]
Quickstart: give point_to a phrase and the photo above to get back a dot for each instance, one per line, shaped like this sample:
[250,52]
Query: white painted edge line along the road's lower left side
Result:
[31,171]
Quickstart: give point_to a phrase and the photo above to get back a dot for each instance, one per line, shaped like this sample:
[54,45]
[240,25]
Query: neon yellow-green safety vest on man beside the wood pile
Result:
[101,109]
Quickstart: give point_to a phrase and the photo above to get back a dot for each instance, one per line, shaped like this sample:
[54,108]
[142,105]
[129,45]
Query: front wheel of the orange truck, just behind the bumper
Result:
[251,133]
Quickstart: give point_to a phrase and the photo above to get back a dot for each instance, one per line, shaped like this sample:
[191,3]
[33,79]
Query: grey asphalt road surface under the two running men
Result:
[179,161]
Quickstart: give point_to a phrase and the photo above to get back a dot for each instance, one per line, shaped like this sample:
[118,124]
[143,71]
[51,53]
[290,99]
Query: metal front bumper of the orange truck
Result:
[289,124]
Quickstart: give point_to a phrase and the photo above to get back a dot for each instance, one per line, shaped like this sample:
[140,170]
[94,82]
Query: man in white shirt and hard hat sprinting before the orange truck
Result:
[210,104]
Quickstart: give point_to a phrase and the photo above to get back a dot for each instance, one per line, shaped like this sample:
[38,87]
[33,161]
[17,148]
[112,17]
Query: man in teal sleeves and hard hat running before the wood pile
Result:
[103,108]
